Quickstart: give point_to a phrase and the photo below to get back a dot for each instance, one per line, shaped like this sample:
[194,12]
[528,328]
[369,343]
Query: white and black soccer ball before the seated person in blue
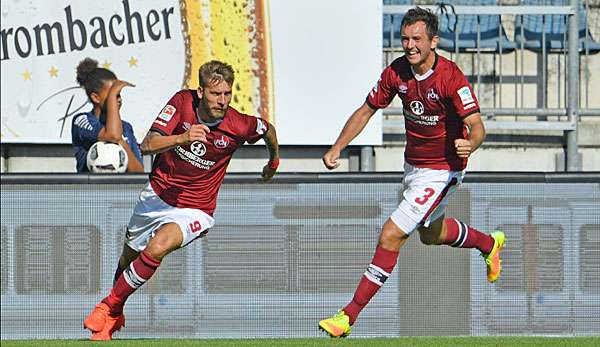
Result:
[106,157]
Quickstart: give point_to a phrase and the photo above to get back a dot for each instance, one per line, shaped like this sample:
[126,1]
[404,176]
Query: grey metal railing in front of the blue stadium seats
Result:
[567,111]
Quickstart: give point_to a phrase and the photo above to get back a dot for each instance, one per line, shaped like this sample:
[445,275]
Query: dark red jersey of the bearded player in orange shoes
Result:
[190,176]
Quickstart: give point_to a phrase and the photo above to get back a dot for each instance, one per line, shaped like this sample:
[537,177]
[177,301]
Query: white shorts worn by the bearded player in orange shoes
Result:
[150,213]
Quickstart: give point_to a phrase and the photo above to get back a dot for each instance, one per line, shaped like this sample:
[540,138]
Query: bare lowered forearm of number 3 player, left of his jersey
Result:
[354,125]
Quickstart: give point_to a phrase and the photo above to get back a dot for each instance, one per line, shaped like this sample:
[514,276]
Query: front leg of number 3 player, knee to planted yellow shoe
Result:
[390,241]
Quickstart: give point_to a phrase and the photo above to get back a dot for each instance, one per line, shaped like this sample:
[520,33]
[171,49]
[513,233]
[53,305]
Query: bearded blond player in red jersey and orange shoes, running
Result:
[194,138]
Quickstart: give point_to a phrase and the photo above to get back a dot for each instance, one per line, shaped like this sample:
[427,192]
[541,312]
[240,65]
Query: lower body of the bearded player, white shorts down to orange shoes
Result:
[155,229]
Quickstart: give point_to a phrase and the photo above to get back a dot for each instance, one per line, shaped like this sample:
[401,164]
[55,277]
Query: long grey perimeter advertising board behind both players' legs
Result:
[296,248]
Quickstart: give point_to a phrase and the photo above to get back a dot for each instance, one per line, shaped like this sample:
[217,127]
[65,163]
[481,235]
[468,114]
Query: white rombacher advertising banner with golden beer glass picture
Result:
[304,65]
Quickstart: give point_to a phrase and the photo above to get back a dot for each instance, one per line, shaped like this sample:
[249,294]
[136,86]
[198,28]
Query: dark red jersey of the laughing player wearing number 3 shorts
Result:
[434,106]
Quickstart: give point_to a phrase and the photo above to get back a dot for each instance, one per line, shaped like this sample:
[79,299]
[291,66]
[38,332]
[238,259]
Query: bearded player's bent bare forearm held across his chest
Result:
[155,142]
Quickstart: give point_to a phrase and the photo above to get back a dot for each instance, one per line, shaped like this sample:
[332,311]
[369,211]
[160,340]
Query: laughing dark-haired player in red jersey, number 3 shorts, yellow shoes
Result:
[443,128]
